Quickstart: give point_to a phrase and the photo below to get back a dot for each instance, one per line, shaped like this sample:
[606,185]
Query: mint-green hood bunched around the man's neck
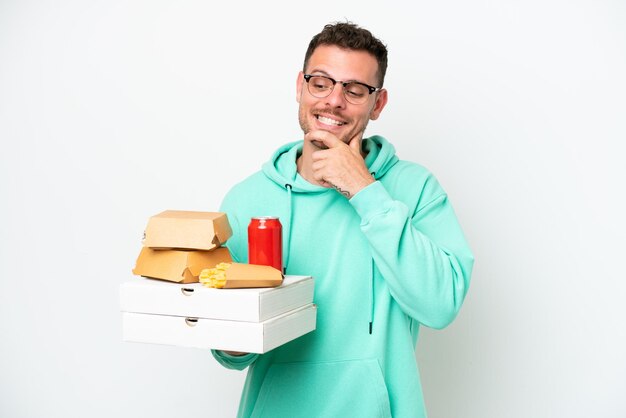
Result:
[282,170]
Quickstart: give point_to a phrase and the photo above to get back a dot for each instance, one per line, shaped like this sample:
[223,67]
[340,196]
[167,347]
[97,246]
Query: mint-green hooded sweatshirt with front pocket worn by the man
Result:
[391,258]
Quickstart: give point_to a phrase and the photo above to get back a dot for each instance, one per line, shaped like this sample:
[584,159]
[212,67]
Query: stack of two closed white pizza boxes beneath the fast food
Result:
[254,320]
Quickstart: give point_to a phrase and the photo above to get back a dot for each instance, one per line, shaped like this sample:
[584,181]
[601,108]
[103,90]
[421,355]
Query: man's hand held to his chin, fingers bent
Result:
[339,165]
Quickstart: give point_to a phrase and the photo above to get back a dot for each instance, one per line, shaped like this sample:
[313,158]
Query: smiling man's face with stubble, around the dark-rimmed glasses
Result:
[334,113]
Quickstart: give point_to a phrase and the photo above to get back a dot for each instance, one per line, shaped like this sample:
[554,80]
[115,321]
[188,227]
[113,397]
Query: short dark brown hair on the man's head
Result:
[350,36]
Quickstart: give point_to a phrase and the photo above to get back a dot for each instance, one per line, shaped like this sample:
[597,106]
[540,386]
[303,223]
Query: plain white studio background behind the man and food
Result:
[112,111]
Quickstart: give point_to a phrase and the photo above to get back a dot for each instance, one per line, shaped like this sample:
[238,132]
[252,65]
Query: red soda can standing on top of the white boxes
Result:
[265,242]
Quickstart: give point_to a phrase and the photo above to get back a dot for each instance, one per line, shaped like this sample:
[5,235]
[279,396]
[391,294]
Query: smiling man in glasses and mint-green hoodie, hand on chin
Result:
[378,234]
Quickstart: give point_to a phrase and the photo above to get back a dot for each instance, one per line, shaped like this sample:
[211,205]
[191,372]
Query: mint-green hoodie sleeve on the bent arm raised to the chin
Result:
[421,252]
